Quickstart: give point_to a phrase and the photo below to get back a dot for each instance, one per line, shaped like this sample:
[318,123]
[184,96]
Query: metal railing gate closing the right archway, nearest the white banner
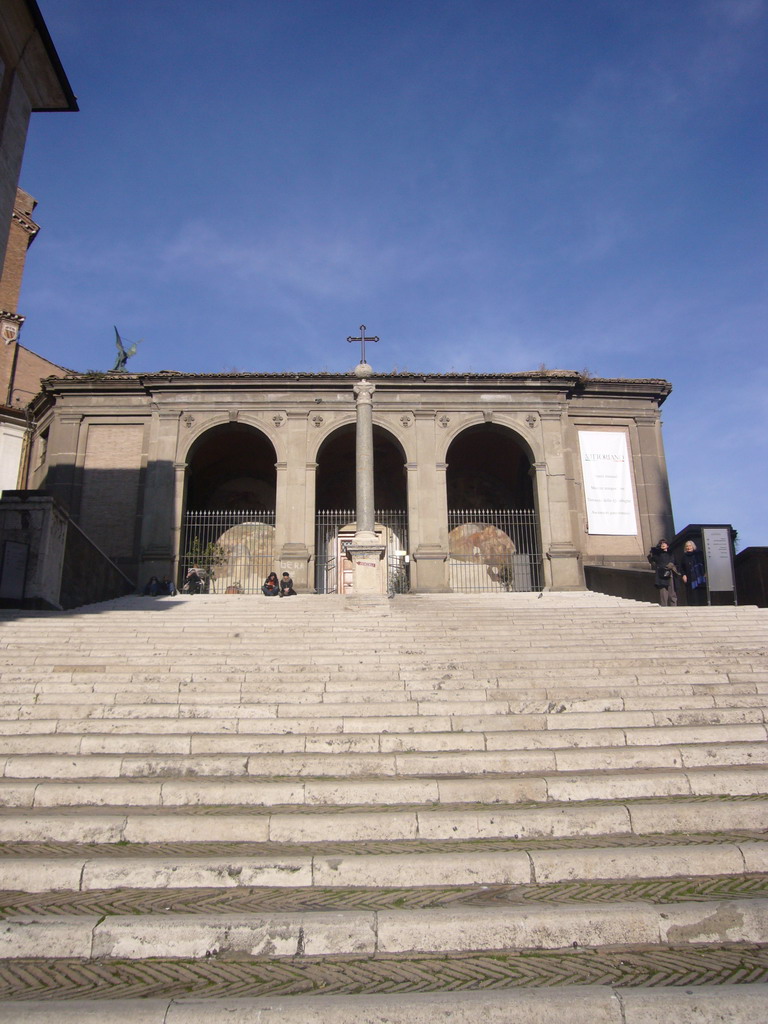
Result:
[494,550]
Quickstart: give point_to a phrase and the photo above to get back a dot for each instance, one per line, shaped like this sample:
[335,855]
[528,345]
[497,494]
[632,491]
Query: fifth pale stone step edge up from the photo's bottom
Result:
[540,786]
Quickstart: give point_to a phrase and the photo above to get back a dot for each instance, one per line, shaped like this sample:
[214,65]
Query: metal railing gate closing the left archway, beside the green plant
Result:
[235,550]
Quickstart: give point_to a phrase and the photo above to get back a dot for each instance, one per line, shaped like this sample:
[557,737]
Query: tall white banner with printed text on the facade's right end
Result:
[608,484]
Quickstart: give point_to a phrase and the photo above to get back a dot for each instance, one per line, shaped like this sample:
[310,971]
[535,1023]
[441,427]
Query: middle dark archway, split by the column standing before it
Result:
[335,504]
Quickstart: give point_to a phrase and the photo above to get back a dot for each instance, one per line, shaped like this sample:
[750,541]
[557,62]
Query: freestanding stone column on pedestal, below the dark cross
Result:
[367,550]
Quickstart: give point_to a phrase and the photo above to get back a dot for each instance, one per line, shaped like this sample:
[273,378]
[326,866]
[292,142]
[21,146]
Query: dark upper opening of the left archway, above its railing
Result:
[229,466]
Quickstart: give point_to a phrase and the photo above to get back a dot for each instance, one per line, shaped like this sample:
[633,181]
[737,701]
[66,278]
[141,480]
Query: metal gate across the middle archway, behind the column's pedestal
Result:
[331,542]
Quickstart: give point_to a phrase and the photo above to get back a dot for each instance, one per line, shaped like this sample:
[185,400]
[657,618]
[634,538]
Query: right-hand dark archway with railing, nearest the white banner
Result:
[494,538]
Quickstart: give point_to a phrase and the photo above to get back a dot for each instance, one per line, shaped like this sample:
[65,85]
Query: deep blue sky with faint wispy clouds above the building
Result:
[488,185]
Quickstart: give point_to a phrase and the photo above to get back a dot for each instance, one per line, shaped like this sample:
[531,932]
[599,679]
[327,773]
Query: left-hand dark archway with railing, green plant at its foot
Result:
[229,524]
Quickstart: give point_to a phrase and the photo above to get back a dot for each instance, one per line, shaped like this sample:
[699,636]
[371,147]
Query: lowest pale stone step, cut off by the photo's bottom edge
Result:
[735,1004]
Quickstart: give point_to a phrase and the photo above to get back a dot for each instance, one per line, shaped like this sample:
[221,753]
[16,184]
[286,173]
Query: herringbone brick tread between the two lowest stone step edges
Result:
[318,977]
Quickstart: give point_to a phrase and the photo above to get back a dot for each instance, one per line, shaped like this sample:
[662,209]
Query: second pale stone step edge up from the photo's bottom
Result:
[389,932]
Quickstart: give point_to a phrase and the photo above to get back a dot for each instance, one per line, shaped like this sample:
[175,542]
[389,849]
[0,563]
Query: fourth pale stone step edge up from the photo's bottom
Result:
[323,825]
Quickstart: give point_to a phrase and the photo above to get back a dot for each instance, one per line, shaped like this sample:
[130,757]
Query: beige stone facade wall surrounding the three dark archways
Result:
[117,451]
